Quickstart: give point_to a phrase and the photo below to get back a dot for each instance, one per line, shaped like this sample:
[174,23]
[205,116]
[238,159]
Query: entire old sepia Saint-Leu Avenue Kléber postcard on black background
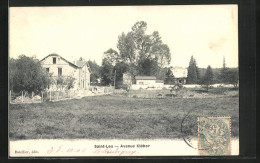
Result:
[110,81]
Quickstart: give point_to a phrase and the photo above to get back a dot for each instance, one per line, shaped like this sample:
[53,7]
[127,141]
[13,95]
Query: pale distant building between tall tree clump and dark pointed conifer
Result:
[180,74]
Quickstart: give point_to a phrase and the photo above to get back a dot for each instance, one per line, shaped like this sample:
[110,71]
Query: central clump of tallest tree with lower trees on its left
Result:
[142,54]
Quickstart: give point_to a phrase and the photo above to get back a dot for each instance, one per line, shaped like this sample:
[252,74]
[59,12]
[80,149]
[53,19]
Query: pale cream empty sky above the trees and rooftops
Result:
[208,32]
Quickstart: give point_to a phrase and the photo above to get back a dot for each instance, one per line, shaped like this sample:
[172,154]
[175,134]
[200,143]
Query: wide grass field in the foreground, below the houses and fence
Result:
[115,116]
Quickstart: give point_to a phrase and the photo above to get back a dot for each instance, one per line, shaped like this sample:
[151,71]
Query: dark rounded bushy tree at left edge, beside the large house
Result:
[26,74]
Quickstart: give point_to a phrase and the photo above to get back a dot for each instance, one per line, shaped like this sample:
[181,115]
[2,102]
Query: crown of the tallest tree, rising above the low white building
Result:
[136,48]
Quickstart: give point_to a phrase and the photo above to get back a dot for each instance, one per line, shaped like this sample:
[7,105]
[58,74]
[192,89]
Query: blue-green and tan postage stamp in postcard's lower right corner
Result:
[214,135]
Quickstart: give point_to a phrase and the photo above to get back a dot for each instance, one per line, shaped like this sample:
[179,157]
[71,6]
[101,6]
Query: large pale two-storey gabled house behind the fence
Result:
[60,67]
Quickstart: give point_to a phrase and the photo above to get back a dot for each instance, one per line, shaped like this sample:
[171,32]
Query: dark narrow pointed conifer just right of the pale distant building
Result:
[192,77]
